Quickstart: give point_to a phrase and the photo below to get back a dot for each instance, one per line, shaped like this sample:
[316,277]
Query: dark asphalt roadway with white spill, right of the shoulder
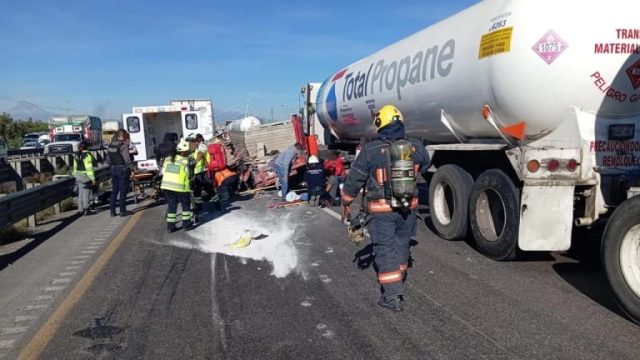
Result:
[302,291]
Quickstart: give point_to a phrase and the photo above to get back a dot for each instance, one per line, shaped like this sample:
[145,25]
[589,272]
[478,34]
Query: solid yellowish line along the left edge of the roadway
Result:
[46,332]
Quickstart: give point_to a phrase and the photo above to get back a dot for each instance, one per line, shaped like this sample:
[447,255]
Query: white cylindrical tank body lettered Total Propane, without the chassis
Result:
[529,60]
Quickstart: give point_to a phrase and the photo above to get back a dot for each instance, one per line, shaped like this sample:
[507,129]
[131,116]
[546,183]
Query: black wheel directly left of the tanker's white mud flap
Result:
[493,215]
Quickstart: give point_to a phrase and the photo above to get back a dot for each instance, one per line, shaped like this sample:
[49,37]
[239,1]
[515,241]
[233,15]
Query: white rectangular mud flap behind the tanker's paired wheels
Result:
[546,218]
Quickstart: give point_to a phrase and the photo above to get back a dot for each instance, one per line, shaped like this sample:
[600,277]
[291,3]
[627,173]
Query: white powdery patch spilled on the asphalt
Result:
[216,236]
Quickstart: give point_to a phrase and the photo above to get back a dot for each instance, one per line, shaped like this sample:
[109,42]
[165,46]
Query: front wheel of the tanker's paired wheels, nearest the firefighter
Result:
[449,191]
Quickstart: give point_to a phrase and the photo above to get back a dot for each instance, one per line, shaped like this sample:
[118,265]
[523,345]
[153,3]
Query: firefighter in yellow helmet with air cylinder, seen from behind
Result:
[387,167]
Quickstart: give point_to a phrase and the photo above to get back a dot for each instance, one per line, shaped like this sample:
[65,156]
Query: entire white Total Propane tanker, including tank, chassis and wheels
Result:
[530,110]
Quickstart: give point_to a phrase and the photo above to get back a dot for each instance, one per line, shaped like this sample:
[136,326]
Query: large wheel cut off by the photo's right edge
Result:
[621,256]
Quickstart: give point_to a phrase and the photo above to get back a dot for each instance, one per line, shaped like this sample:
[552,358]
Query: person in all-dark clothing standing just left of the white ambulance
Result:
[119,162]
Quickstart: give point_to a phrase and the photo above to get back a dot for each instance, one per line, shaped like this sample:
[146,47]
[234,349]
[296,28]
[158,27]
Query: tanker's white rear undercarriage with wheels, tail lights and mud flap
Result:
[514,198]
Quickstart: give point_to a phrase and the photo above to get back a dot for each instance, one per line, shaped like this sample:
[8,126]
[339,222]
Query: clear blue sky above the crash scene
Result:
[107,56]
